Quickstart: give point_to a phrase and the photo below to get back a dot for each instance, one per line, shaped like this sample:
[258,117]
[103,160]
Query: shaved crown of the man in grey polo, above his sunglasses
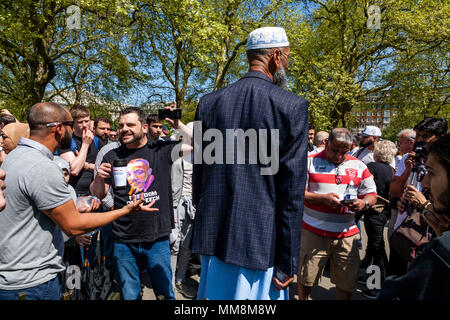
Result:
[46,112]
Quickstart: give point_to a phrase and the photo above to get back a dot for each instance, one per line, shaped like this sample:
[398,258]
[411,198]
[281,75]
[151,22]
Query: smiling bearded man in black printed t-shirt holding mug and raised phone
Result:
[141,241]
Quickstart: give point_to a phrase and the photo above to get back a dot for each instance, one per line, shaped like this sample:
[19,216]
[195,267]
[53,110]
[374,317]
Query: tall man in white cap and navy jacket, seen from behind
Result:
[249,215]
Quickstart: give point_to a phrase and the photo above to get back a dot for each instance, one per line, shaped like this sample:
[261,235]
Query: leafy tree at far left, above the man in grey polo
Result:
[37,48]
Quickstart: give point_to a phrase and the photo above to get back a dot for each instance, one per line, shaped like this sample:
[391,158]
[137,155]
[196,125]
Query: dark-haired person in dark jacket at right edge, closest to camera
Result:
[428,276]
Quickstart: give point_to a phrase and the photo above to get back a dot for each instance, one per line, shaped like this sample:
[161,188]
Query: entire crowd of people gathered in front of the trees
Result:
[73,185]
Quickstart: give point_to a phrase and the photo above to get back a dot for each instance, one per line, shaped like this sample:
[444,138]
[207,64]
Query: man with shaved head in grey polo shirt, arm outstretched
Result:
[37,203]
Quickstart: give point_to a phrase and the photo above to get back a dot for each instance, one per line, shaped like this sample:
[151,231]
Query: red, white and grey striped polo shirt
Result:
[321,178]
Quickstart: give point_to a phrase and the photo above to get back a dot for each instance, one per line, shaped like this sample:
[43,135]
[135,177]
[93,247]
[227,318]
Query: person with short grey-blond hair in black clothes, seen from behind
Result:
[376,217]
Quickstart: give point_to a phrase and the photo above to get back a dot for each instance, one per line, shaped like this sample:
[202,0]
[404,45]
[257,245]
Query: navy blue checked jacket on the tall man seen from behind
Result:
[243,217]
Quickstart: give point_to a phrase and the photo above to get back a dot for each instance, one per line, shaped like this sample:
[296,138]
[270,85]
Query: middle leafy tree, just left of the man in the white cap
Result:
[191,47]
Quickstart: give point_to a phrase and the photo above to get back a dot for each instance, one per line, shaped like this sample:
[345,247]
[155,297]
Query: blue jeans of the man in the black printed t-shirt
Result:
[132,259]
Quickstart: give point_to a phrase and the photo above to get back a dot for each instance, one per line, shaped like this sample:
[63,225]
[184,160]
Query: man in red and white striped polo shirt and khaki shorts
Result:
[329,229]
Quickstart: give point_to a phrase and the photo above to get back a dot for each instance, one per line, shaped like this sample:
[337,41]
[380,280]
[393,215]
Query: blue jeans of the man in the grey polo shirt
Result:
[50,290]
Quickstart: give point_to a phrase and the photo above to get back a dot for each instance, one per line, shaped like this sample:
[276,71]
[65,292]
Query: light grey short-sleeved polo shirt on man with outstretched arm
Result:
[31,245]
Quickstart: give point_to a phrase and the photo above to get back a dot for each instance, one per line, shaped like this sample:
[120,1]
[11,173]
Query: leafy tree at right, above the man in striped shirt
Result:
[339,62]
